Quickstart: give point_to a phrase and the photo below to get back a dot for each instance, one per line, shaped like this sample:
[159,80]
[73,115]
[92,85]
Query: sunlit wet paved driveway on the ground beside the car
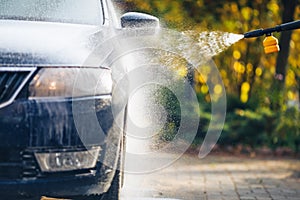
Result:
[217,178]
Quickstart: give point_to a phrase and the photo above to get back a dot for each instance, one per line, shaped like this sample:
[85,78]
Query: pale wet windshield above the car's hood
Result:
[67,11]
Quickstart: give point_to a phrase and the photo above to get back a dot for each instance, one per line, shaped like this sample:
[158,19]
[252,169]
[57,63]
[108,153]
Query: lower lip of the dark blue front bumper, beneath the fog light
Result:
[94,182]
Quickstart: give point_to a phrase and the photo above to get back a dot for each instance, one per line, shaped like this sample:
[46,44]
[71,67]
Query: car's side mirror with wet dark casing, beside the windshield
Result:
[139,20]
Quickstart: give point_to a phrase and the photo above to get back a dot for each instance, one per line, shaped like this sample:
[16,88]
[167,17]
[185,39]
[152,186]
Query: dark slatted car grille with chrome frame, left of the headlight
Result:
[11,82]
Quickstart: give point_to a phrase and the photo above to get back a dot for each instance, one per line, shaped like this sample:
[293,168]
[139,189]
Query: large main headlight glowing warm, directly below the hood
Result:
[70,82]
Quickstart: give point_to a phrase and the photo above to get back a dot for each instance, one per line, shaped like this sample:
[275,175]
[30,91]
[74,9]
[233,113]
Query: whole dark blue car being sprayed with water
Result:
[51,95]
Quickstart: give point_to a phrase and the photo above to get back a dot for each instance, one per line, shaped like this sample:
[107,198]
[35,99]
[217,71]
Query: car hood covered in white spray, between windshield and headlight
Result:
[47,44]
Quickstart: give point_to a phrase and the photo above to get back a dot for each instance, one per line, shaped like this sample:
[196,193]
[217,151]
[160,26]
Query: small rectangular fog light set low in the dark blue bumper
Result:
[68,161]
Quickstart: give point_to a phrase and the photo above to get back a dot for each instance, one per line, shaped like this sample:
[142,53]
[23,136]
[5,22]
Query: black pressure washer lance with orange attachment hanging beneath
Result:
[271,43]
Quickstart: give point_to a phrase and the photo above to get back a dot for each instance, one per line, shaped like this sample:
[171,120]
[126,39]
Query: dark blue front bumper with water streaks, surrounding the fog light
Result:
[28,126]
